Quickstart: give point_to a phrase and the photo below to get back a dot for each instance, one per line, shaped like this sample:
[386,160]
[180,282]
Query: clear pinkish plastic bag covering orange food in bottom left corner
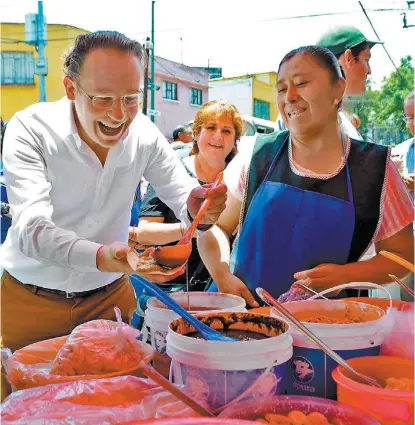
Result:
[96,401]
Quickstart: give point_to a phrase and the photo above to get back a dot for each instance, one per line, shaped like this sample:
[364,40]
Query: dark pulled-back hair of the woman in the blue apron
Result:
[323,56]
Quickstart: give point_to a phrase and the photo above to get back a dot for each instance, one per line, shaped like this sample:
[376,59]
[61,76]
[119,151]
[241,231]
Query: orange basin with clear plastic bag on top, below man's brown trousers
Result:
[93,349]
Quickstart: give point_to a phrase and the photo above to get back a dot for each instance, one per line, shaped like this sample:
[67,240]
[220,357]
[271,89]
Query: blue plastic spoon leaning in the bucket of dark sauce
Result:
[207,332]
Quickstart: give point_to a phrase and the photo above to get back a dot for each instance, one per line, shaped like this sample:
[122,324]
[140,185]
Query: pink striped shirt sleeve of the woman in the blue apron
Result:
[398,206]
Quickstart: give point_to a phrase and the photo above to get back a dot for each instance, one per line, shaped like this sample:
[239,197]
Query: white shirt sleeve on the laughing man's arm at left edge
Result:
[28,190]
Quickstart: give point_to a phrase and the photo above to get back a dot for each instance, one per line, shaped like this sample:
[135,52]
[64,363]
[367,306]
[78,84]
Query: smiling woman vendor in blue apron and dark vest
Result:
[309,201]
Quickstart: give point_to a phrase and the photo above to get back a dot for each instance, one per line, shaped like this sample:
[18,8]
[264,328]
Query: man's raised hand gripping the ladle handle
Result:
[199,194]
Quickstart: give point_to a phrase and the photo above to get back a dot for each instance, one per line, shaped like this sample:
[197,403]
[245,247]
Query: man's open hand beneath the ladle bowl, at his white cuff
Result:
[113,258]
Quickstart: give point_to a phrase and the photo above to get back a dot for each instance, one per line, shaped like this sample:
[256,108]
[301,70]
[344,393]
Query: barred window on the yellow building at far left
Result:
[17,68]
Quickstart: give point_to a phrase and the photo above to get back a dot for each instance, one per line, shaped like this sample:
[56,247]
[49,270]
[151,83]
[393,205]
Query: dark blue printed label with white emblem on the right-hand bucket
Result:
[311,371]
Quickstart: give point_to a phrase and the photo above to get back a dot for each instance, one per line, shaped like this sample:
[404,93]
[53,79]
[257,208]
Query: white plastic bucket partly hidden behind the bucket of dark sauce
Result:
[158,317]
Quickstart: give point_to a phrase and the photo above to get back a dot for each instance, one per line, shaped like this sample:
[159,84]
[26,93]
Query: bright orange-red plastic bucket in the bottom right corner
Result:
[387,406]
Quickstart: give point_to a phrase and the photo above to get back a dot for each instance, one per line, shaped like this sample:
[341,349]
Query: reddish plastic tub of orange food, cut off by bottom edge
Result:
[335,413]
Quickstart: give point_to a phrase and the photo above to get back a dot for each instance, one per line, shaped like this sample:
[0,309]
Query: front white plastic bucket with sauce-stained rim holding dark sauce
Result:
[224,372]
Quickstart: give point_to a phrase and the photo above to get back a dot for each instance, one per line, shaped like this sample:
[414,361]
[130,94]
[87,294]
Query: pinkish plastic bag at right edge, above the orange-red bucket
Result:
[400,340]
